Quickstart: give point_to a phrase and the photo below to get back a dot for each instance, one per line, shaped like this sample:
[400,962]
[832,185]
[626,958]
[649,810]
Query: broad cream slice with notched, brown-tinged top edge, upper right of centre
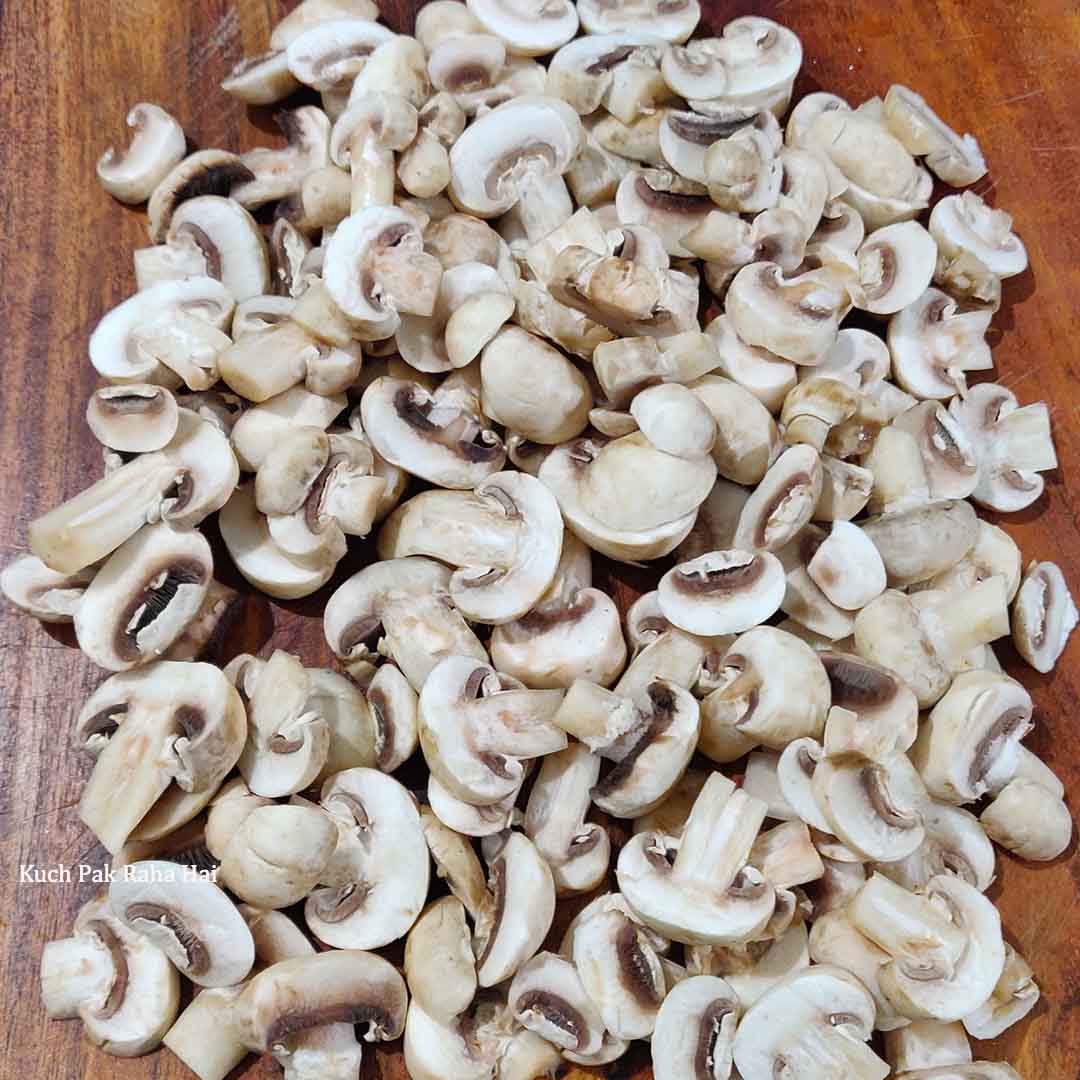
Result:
[796,319]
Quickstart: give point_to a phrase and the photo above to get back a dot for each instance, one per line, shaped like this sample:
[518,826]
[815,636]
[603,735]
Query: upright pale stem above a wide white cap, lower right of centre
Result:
[720,834]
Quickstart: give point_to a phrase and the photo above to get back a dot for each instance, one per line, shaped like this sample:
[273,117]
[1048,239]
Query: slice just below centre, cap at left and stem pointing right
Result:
[477,727]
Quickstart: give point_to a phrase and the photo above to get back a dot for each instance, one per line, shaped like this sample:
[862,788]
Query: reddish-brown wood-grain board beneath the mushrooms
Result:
[1008,71]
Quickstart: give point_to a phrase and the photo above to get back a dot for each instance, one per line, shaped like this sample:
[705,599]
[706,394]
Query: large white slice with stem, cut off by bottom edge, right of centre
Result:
[813,1023]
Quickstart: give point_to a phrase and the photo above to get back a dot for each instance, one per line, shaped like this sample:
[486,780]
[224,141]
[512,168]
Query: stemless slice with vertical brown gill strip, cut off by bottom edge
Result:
[696,1031]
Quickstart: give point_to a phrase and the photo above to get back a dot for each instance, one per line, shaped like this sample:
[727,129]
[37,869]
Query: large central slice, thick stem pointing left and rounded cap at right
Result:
[506,536]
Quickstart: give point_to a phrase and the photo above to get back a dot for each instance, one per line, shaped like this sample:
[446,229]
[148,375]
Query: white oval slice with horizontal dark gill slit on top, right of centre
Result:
[724,592]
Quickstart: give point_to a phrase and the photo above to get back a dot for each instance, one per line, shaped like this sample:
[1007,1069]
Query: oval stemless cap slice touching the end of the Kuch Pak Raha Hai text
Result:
[188,917]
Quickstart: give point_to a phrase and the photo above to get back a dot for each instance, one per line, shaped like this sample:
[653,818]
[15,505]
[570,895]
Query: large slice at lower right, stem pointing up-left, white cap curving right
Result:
[947,948]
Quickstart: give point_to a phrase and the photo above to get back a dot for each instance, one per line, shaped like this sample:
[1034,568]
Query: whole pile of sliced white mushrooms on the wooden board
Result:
[469,329]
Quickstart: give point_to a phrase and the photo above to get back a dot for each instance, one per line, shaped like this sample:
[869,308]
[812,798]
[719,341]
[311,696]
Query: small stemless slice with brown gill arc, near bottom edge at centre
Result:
[547,997]
